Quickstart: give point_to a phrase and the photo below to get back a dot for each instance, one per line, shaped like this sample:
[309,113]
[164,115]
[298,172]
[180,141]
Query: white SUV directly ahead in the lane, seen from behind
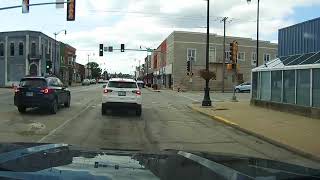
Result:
[121,93]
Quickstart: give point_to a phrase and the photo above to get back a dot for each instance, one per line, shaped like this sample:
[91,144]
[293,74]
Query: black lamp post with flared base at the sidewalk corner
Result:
[206,99]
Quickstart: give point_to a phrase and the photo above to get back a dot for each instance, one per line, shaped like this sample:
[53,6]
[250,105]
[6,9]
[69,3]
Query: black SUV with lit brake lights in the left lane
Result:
[43,92]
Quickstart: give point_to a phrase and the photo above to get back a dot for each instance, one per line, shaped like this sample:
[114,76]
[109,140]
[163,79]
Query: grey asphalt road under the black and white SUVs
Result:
[166,123]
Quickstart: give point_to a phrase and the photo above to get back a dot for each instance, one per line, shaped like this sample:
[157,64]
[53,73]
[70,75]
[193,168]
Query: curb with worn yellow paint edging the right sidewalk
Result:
[264,138]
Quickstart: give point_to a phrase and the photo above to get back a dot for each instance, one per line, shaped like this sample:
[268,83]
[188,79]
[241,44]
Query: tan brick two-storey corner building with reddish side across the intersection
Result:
[169,60]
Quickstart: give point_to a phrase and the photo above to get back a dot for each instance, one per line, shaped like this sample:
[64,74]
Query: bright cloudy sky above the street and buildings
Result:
[147,23]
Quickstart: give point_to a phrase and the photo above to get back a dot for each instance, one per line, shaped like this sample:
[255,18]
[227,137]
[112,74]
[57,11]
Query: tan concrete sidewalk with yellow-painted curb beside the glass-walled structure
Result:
[296,133]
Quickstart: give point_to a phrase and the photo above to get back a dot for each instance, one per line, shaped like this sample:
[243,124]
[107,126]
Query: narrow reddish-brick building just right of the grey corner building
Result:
[67,64]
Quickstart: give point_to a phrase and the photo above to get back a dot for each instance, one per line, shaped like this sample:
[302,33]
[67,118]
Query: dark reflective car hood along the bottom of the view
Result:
[62,161]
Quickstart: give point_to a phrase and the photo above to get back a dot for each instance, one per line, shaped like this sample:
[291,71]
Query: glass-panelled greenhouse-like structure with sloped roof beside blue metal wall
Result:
[292,80]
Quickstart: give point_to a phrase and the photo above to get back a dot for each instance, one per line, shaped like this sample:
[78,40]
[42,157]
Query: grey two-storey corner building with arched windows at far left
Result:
[26,53]
